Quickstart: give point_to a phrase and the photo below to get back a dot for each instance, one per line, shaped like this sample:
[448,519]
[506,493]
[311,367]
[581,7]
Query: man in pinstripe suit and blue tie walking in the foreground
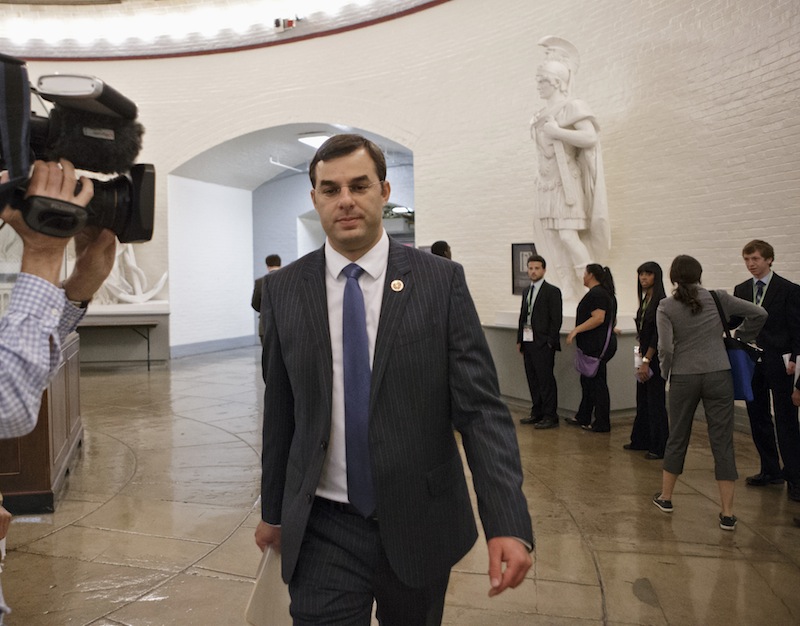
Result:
[371,502]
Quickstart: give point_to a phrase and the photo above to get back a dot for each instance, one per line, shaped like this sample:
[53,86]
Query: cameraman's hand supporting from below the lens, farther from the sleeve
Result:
[95,252]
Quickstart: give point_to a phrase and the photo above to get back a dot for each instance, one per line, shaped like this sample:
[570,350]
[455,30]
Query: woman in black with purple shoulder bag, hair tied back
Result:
[594,334]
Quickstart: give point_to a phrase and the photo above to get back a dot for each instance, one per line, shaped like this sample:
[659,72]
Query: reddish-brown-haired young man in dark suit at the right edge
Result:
[780,339]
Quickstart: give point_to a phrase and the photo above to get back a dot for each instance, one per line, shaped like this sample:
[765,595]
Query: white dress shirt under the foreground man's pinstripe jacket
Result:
[333,481]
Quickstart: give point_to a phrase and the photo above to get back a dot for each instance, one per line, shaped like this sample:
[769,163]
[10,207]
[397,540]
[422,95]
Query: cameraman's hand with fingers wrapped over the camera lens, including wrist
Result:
[42,255]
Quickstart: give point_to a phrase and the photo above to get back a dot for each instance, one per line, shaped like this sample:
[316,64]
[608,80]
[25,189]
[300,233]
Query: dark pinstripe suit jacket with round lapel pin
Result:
[432,372]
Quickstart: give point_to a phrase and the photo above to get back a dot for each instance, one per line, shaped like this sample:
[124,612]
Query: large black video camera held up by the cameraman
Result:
[93,126]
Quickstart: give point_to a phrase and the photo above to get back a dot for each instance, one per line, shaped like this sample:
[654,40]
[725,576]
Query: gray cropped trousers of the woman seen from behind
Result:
[686,391]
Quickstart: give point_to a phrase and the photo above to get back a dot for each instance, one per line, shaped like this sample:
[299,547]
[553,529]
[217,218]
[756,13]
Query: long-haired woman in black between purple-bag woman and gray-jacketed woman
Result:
[651,425]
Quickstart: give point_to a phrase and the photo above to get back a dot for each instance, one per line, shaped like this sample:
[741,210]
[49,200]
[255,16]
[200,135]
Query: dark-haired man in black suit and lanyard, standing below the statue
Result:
[538,340]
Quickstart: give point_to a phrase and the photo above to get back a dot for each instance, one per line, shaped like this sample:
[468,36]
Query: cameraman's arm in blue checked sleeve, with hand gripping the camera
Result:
[30,341]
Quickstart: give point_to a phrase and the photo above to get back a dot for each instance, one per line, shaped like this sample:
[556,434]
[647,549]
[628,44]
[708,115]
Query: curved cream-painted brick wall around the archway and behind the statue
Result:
[697,99]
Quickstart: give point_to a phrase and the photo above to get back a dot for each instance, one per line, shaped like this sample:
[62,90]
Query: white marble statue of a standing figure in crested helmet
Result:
[571,196]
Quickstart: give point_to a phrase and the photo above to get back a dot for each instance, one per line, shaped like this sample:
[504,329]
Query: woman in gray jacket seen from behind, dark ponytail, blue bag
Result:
[694,360]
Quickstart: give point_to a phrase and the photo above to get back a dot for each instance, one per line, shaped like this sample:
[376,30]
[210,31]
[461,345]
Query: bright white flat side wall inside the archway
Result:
[210,262]
